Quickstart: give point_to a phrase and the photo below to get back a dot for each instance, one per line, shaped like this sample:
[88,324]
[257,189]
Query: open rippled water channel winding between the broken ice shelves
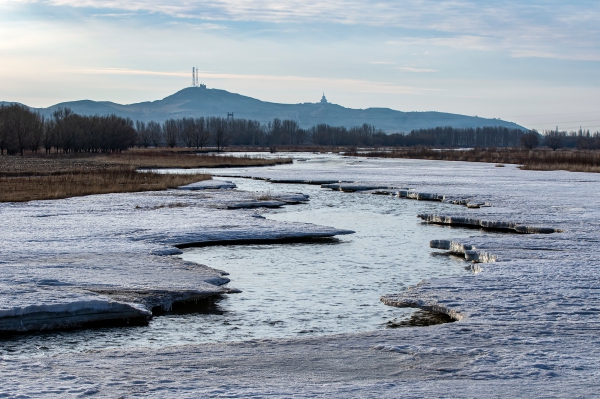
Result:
[292,290]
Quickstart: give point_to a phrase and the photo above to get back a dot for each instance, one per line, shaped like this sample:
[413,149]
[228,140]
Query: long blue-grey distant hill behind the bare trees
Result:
[196,102]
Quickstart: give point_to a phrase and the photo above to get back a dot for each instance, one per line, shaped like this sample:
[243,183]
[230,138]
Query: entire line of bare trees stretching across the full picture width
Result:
[64,131]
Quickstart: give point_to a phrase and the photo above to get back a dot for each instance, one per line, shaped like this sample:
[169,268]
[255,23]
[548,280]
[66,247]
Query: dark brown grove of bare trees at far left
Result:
[22,129]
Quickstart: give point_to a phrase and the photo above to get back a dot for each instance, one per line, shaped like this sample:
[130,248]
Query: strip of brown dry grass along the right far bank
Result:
[537,159]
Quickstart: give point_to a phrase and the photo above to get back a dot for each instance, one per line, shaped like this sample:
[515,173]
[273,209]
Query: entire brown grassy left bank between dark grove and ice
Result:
[57,176]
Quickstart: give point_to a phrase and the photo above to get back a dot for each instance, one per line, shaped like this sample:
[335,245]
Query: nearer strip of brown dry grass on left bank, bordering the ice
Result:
[78,182]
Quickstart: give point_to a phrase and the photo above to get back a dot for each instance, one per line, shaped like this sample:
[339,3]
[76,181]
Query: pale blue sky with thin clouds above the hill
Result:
[536,63]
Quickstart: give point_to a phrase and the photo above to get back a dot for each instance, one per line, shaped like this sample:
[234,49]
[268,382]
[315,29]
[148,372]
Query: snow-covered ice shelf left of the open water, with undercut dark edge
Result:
[72,262]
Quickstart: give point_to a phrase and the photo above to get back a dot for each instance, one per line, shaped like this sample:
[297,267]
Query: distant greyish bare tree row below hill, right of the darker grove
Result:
[221,132]
